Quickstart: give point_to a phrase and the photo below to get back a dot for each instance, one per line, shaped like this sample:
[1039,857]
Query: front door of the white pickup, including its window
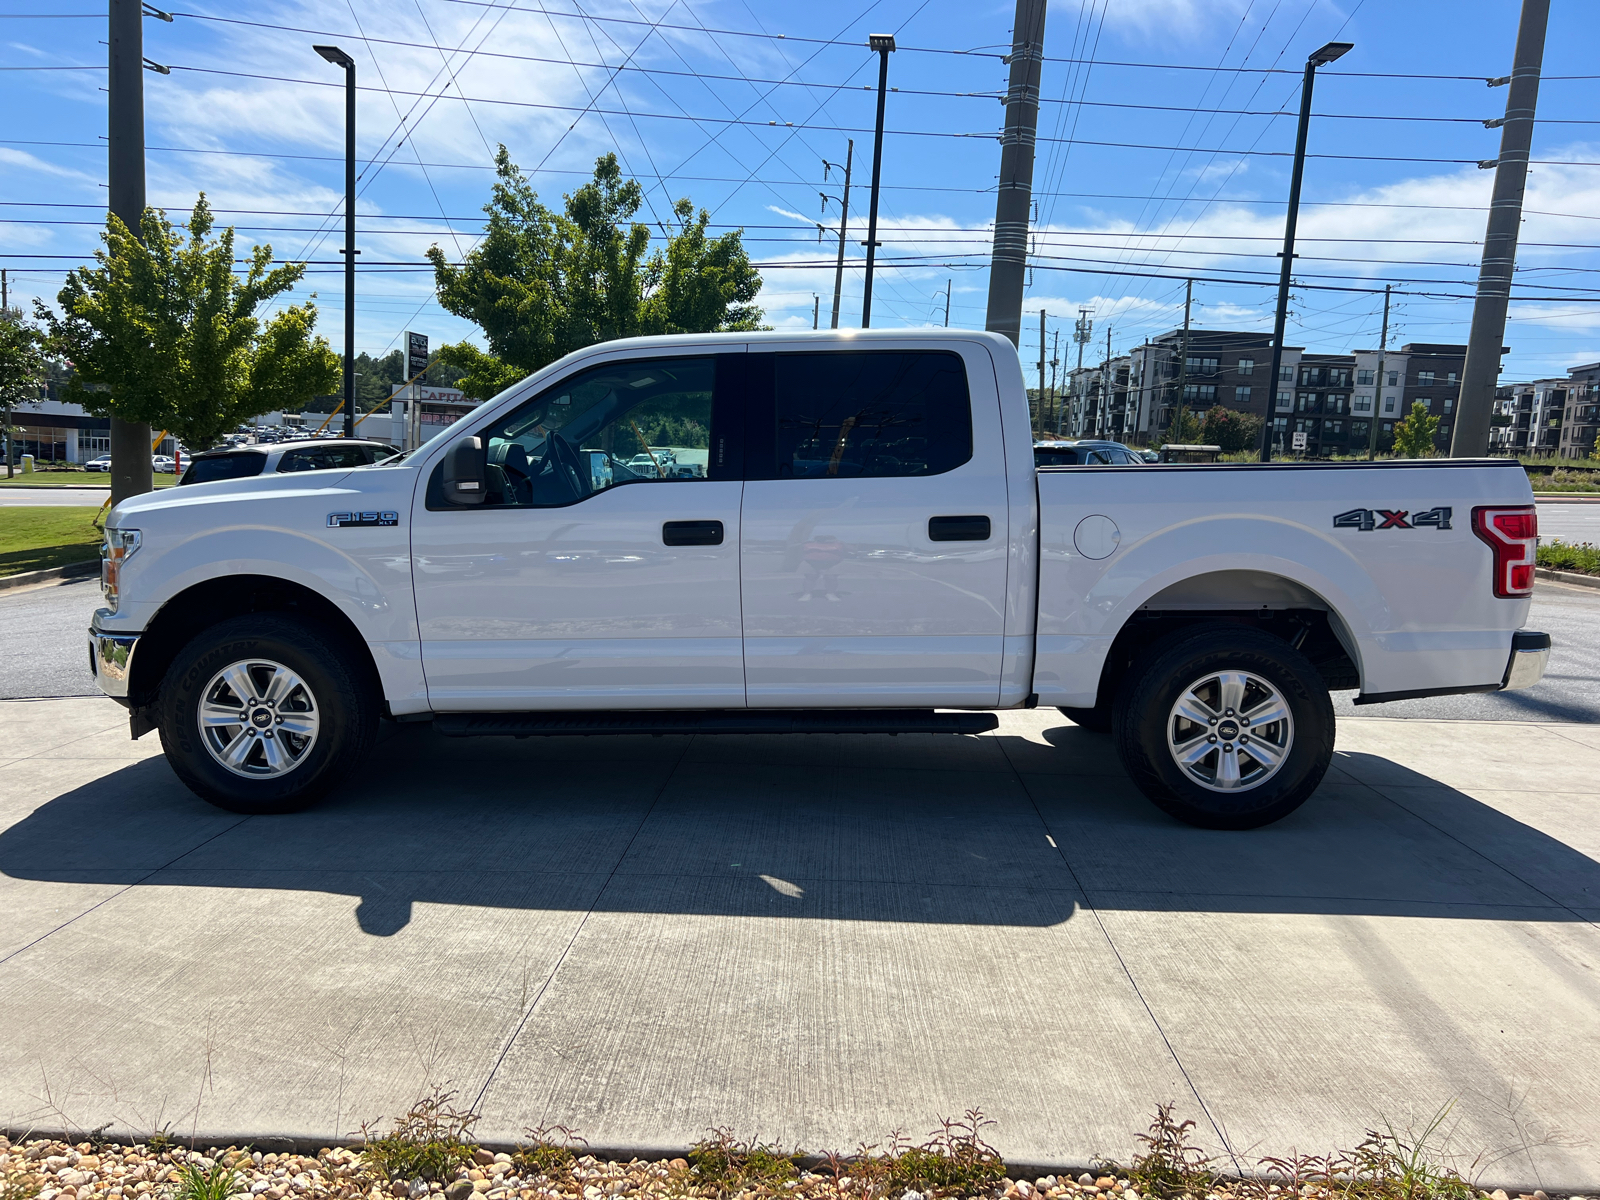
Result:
[602,570]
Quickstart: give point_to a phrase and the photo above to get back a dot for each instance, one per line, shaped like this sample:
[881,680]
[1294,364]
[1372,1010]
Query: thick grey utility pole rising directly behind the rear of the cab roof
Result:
[1015,196]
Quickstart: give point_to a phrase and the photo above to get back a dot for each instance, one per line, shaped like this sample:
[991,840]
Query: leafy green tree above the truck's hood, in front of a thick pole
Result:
[164,330]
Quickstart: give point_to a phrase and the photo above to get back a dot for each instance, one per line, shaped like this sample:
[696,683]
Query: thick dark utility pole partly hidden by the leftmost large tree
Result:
[130,441]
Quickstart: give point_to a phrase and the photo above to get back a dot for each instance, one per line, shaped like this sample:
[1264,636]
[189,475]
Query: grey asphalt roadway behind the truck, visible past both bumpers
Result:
[42,654]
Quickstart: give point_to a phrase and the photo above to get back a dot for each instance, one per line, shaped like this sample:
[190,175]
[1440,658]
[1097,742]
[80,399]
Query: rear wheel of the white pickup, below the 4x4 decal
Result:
[1217,791]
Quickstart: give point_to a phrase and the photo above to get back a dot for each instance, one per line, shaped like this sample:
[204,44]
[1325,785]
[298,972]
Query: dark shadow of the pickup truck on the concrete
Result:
[974,831]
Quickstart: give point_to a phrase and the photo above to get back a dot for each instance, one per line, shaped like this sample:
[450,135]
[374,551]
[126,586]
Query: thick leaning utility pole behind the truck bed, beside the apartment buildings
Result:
[1481,372]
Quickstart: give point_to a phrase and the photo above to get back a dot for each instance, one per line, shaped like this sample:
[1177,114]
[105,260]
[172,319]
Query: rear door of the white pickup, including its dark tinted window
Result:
[874,529]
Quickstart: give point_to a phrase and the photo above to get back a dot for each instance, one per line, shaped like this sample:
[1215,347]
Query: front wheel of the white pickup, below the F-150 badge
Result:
[334,700]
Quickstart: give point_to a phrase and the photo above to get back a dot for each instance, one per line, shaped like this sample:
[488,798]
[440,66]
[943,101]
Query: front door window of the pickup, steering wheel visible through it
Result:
[634,422]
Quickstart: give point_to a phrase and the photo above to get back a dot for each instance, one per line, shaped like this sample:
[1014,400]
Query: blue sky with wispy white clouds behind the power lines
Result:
[703,98]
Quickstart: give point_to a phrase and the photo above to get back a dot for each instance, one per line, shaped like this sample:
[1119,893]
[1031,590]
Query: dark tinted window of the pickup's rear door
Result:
[858,415]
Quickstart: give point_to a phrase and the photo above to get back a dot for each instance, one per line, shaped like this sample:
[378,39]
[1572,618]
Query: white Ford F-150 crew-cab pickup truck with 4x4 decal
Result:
[866,550]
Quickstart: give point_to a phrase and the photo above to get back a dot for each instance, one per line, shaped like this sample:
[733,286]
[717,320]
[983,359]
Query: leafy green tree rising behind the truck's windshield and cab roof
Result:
[545,284]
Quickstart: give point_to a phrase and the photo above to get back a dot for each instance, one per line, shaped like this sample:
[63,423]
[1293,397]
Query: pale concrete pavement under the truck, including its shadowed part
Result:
[812,940]
